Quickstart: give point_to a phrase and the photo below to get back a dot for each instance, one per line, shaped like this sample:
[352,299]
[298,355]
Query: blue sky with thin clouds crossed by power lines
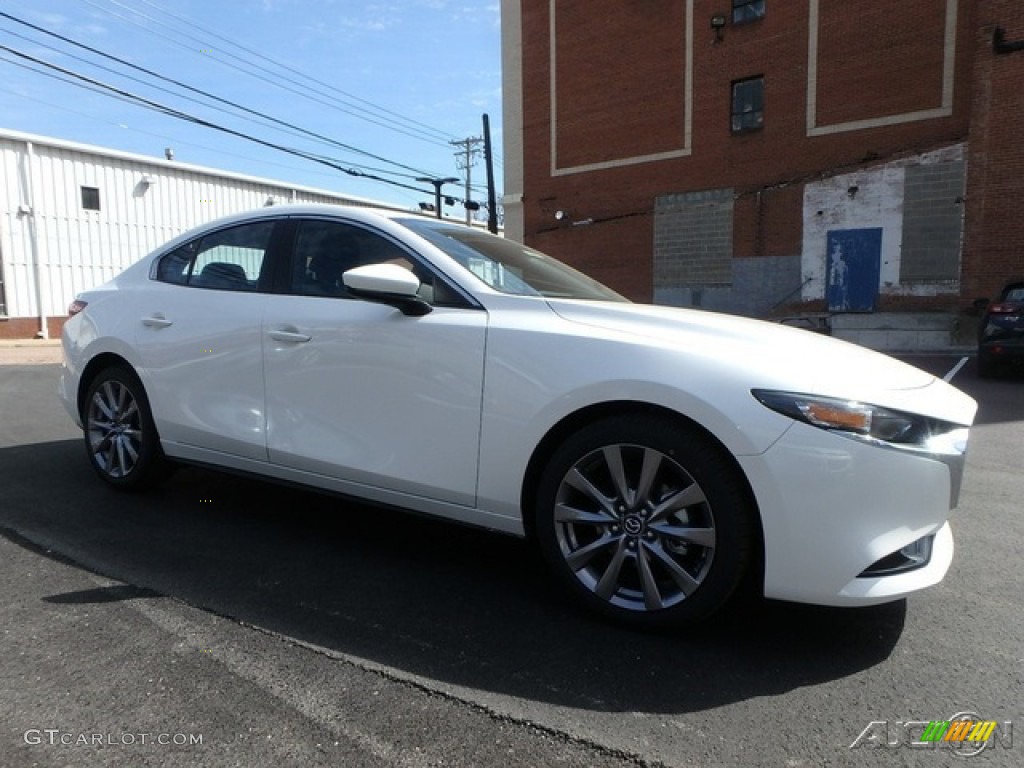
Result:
[397,79]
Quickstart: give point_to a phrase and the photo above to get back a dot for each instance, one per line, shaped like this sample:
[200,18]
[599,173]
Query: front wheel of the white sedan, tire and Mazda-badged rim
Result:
[646,522]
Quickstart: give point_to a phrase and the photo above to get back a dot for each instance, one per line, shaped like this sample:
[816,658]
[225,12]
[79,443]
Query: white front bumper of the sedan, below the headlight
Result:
[833,507]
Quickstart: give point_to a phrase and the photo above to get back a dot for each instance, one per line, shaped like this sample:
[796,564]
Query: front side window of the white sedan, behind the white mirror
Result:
[326,250]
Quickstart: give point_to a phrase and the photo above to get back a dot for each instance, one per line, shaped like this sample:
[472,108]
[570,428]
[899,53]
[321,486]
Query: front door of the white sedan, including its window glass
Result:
[361,393]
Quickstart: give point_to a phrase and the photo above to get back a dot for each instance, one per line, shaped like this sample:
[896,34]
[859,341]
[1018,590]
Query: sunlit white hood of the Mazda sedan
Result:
[771,356]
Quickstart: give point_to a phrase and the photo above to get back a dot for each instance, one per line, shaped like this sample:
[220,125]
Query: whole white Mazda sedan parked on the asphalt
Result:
[658,457]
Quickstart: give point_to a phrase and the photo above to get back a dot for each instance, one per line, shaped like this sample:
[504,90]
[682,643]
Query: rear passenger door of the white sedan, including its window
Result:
[200,342]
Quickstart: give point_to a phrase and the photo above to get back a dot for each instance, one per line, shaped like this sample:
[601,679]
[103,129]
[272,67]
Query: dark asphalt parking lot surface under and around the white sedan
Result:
[224,621]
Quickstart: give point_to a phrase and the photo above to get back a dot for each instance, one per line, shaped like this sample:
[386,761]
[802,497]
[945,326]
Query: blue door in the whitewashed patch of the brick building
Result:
[854,268]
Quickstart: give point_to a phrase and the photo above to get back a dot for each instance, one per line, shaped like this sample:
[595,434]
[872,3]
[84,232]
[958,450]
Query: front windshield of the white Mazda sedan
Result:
[509,267]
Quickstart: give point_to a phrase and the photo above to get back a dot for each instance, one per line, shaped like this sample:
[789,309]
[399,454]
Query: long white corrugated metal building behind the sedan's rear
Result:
[72,217]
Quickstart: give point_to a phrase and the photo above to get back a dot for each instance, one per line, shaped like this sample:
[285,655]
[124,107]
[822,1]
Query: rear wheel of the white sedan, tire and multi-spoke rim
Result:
[121,439]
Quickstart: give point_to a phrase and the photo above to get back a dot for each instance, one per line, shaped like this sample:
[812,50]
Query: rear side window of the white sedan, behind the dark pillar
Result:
[231,260]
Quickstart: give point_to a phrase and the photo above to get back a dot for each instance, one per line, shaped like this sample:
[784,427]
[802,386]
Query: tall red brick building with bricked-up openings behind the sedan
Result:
[766,156]
